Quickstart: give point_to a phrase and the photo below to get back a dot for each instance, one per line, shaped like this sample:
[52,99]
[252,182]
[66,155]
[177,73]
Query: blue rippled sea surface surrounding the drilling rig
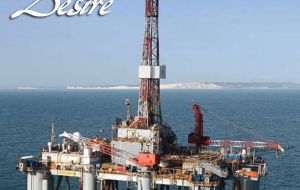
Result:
[273,115]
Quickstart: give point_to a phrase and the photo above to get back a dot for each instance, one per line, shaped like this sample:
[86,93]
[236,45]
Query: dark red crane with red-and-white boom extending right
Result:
[197,137]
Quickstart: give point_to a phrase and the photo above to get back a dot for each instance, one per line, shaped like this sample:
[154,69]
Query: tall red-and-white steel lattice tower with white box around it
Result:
[150,71]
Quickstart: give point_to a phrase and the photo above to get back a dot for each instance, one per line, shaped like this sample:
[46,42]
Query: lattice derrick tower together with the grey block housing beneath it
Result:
[146,134]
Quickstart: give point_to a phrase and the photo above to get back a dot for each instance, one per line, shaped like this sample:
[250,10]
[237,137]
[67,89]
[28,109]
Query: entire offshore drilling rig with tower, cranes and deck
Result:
[143,152]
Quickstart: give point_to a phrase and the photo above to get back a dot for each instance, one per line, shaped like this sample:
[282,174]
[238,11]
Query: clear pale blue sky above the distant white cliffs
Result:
[200,40]
